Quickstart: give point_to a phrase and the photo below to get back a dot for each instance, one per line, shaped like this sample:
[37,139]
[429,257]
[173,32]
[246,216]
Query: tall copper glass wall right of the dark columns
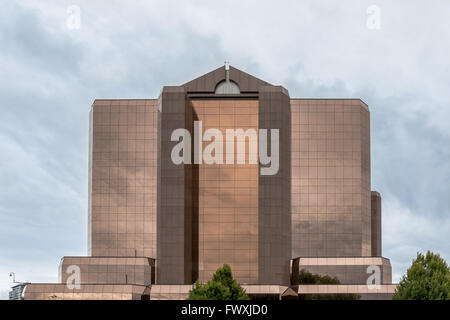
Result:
[330,178]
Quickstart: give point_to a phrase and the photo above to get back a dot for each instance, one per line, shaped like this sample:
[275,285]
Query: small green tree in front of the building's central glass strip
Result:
[222,286]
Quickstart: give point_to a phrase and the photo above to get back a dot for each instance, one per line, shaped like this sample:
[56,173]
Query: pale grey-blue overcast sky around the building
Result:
[50,73]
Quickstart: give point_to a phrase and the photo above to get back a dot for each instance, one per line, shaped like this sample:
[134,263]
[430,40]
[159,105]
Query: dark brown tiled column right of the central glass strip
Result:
[275,190]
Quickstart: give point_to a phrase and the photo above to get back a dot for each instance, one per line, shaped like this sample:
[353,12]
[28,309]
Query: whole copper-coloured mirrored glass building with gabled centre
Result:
[158,226]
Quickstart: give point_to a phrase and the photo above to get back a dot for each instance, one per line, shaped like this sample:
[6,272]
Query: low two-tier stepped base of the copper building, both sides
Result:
[133,278]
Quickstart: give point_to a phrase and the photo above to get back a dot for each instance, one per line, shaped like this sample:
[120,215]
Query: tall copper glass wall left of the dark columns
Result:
[122,169]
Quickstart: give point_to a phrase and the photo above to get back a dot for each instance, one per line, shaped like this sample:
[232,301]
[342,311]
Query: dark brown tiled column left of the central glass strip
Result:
[174,218]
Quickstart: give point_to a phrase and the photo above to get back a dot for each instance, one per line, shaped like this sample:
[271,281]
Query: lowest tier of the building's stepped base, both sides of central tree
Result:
[44,291]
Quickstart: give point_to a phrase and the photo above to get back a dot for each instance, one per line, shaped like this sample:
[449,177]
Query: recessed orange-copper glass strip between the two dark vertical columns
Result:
[228,193]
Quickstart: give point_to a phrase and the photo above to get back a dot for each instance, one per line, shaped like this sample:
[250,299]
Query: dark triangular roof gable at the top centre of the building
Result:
[207,83]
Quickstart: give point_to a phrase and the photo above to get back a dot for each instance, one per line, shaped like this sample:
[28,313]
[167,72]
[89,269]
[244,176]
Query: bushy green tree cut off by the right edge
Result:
[428,278]
